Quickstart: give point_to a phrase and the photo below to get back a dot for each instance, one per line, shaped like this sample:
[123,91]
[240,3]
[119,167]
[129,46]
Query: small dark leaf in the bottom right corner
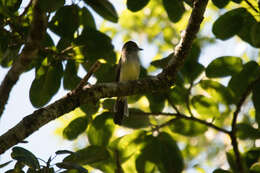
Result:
[252,156]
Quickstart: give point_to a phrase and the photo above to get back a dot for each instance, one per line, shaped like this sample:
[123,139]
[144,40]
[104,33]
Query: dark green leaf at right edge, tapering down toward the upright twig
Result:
[240,82]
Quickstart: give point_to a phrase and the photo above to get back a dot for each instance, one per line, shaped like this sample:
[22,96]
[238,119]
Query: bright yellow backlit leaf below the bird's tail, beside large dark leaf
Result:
[133,142]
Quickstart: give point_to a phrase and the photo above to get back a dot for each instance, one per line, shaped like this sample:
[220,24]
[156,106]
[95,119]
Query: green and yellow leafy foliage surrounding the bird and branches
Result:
[204,96]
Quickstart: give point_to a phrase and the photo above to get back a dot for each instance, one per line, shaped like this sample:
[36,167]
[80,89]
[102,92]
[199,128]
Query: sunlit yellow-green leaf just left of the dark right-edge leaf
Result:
[217,91]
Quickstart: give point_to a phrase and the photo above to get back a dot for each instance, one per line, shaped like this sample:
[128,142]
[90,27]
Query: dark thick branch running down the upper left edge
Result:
[29,51]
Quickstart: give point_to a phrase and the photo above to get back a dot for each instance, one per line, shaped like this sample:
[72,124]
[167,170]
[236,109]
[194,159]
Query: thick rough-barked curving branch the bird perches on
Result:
[90,95]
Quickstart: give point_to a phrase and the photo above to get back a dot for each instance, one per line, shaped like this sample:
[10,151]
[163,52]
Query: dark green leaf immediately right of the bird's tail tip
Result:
[135,120]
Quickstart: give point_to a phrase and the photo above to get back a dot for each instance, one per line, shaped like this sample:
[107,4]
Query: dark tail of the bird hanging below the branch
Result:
[121,110]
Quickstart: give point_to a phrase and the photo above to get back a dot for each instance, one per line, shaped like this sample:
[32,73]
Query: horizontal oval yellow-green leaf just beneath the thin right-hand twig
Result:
[188,128]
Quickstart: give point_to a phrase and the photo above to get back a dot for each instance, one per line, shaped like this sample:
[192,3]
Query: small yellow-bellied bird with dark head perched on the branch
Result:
[128,69]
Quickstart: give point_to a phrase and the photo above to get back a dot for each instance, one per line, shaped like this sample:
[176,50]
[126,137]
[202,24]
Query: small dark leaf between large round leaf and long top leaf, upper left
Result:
[86,18]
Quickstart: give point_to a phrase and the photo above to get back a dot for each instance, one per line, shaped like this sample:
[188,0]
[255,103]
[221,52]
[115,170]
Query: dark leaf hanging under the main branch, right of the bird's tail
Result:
[156,101]
